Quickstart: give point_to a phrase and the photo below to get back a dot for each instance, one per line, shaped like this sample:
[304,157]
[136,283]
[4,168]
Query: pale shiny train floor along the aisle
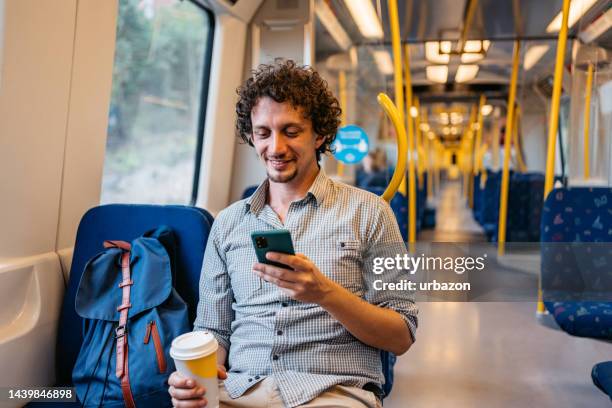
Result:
[491,354]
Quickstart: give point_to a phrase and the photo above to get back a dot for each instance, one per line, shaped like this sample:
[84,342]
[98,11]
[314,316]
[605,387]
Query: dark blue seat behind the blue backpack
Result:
[126,222]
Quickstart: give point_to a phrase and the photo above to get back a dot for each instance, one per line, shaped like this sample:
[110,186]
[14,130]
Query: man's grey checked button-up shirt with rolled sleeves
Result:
[341,229]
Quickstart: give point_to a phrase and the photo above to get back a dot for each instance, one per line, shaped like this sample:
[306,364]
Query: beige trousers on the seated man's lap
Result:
[265,394]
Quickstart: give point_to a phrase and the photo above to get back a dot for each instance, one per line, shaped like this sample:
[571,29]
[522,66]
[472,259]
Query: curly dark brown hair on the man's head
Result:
[301,86]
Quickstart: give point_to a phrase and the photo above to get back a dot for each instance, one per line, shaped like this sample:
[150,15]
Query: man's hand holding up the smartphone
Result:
[304,282]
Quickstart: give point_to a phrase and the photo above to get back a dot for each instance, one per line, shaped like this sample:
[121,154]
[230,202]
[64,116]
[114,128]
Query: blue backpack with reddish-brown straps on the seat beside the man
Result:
[131,313]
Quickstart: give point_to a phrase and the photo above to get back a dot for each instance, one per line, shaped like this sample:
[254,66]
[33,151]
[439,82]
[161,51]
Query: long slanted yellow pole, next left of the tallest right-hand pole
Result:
[505,183]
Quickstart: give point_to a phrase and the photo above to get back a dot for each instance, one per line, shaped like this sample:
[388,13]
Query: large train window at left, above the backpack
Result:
[158,103]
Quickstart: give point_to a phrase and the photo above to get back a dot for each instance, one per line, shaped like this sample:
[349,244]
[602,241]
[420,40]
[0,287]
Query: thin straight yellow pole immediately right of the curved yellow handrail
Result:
[411,169]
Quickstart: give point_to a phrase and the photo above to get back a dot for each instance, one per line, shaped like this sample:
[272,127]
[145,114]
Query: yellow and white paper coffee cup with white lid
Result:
[195,356]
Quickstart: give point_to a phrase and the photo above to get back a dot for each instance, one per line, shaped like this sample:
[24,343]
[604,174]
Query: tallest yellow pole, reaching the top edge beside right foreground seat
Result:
[554,120]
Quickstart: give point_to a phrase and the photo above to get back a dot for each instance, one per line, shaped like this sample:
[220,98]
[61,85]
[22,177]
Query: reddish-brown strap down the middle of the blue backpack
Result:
[121,330]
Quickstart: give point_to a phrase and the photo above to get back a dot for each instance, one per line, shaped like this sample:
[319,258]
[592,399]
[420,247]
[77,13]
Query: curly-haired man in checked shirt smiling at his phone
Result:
[311,335]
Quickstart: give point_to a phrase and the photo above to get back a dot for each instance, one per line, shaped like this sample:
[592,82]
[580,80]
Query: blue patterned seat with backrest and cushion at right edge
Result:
[575,223]
